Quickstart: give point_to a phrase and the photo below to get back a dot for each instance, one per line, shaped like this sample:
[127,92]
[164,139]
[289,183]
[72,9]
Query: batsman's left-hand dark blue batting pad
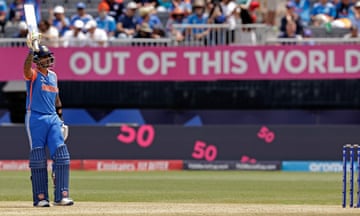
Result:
[39,174]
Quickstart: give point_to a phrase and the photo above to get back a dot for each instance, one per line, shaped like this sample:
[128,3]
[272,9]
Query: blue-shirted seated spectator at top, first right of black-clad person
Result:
[323,9]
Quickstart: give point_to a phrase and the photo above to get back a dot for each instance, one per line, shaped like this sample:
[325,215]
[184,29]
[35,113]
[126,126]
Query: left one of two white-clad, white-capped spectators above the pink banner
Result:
[74,37]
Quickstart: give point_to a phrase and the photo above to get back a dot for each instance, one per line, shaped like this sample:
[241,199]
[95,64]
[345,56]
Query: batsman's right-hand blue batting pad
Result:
[62,166]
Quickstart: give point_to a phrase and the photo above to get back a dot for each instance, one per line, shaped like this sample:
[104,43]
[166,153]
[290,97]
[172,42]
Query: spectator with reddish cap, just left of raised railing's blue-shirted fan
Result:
[176,17]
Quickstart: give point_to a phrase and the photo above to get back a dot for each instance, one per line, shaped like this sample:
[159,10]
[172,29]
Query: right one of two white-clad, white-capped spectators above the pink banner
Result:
[96,37]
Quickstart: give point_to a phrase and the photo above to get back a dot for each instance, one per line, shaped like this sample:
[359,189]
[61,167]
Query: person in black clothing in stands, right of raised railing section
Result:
[291,16]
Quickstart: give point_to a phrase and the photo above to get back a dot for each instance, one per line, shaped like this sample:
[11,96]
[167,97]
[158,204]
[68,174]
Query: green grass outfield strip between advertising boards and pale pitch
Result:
[190,187]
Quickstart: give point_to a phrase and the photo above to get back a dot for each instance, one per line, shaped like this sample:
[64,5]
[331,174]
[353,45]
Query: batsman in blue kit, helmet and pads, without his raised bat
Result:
[45,127]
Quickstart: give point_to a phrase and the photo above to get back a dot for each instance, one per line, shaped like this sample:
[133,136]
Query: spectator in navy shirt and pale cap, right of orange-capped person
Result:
[127,23]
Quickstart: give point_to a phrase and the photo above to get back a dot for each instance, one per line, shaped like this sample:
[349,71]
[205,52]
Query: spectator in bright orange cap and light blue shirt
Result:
[106,22]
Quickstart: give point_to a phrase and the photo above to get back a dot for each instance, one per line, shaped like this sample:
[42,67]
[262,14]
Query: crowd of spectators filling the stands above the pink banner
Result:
[117,19]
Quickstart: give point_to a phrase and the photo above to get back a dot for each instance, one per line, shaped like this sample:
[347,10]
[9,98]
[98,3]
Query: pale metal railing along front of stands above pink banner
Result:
[218,34]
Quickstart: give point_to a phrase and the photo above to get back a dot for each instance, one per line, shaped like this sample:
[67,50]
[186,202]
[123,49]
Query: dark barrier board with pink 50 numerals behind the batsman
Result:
[247,144]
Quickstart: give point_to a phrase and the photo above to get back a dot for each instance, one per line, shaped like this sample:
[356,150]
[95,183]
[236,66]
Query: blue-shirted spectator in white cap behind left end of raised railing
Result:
[198,17]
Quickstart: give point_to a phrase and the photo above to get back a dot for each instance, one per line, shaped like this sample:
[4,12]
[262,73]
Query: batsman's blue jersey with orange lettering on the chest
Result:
[41,91]
